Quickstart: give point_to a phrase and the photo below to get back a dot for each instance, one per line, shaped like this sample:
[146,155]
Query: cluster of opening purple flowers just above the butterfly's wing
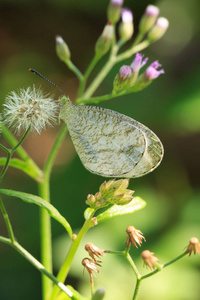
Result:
[128,75]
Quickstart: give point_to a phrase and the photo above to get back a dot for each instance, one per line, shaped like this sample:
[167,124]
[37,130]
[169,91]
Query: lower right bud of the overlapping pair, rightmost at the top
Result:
[158,29]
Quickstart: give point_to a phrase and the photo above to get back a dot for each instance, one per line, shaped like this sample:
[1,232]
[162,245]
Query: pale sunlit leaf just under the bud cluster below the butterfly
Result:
[118,210]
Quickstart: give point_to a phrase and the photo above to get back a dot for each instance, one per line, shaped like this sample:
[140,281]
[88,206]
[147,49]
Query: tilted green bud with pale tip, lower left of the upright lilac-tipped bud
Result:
[103,43]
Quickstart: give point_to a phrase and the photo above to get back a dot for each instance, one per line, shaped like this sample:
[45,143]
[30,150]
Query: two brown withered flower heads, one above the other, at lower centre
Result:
[90,264]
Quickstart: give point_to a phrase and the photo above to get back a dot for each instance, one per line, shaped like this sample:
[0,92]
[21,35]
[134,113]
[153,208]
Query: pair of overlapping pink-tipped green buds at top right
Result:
[152,25]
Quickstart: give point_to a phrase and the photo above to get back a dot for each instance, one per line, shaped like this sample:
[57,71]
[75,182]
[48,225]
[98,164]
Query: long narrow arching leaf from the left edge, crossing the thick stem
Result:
[53,212]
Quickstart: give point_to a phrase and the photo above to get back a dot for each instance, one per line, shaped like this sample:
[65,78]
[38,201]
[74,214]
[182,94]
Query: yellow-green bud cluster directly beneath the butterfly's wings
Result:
[111,192]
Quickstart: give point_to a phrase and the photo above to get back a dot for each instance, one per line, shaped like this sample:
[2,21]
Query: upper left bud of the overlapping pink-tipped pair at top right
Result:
[149,18]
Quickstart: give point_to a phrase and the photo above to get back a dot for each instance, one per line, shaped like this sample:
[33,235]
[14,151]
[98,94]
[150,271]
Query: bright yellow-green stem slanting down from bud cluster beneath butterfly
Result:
[72,251]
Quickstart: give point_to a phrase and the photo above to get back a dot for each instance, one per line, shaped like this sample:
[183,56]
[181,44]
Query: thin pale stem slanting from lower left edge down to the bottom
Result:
[37,265]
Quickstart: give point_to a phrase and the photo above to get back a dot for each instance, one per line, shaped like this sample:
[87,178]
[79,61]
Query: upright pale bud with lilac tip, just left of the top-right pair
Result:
[126,28]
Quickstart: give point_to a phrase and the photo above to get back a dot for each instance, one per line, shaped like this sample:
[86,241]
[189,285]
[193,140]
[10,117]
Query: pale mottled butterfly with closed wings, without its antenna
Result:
[109,143]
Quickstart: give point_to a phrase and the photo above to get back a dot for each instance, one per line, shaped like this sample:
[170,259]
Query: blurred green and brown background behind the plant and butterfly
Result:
[170,107]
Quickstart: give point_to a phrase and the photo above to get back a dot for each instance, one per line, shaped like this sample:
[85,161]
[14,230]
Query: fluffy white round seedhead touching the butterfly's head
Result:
[29,108]
